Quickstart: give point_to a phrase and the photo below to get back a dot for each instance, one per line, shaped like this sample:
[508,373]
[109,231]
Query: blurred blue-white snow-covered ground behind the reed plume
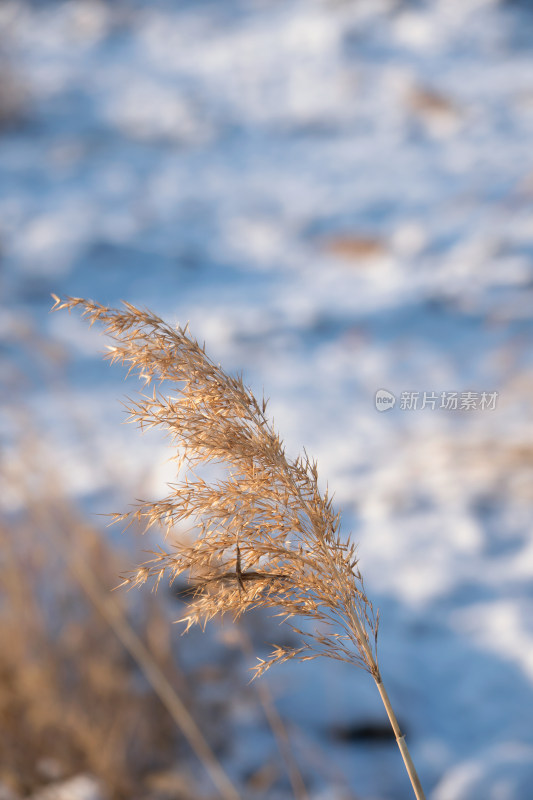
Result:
[338,195]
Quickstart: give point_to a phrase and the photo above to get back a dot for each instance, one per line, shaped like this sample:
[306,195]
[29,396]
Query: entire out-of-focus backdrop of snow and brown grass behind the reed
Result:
[338,196]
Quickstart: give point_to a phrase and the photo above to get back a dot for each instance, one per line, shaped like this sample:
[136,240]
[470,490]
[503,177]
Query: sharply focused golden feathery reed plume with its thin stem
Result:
[267,536]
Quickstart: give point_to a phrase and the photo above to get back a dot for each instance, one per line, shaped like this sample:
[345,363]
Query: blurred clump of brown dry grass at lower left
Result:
[72,700]
